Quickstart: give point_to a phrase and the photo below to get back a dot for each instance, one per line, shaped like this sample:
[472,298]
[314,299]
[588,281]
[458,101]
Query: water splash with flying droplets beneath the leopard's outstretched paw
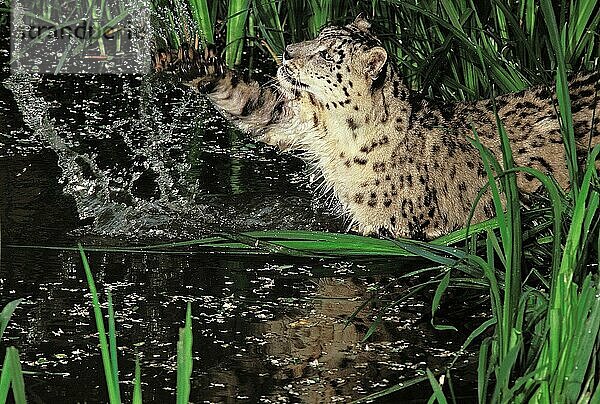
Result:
[144,159]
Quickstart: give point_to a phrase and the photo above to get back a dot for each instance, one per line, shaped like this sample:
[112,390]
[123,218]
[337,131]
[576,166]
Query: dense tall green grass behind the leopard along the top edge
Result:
[437,43]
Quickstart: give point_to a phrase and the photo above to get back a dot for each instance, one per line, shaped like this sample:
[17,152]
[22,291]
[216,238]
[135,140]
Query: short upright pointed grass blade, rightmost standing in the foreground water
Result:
[184,358]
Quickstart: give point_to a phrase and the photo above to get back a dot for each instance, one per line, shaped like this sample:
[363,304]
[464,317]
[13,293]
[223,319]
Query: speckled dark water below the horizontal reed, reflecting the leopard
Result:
[263,331]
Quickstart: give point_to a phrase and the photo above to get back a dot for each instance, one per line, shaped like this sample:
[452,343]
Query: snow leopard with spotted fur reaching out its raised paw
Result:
[398,164]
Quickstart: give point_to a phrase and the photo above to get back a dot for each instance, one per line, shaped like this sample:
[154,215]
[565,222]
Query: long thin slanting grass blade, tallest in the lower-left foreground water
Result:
[114,395]
